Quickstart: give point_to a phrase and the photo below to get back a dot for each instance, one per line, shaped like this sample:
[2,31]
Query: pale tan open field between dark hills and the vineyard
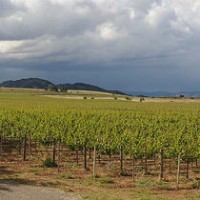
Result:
[80,94]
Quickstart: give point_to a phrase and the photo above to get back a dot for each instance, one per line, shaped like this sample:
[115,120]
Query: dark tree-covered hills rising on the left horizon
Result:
[44,84]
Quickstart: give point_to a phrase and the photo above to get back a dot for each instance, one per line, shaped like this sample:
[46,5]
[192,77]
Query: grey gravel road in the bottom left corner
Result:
[10,190]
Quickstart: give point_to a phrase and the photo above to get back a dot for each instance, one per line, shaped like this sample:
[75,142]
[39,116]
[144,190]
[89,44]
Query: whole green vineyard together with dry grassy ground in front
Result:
[112,131]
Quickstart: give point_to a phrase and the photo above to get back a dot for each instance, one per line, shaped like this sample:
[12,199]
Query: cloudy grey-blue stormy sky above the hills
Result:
[130,45]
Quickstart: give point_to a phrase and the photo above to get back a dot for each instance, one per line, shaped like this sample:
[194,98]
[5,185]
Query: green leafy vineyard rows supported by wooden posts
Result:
[137,137]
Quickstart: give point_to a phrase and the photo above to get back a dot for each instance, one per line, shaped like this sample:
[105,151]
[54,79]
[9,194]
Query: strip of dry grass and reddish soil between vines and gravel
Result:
[78,181]
